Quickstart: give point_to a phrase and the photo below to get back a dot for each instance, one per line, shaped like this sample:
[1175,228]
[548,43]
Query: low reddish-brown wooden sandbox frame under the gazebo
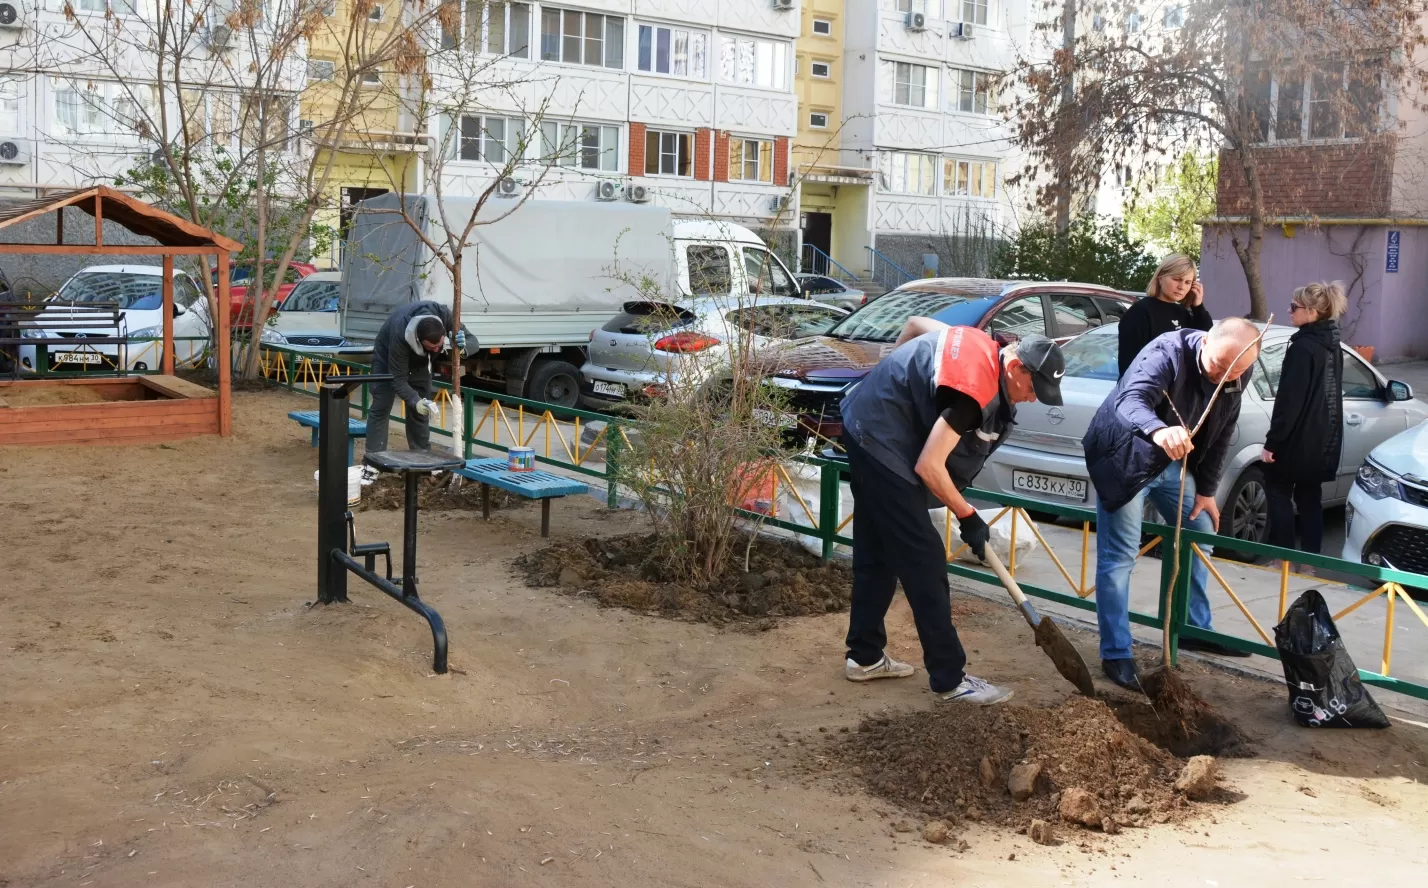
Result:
[125,410]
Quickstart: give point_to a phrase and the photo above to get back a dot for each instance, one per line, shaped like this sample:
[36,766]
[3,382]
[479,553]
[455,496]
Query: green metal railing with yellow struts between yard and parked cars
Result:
[501,422]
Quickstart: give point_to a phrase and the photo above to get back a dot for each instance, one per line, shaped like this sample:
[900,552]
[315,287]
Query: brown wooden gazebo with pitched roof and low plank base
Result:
[124,409]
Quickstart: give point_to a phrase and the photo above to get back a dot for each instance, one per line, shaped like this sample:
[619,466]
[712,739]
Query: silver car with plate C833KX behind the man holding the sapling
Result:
[1043,458]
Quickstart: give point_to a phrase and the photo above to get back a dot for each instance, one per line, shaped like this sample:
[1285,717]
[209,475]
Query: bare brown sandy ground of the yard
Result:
[174,715]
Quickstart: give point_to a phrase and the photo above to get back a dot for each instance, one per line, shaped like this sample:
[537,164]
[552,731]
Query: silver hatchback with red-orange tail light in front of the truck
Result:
[646,349]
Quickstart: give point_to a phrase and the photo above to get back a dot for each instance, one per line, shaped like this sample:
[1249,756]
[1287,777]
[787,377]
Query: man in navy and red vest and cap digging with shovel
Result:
[903,423]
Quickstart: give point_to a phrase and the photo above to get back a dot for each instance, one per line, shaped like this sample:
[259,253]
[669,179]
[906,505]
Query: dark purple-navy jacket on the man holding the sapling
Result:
[1120,455]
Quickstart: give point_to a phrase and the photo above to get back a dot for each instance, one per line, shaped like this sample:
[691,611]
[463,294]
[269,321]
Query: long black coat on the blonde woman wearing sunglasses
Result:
[1307,430]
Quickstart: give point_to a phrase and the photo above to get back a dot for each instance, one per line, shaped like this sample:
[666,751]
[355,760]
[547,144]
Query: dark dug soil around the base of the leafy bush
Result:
[783,580]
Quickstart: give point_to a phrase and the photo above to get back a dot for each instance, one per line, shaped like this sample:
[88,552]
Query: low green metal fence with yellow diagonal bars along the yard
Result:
[488,415]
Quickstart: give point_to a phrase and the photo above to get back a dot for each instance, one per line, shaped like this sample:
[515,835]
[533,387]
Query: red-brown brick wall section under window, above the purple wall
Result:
[1350,181]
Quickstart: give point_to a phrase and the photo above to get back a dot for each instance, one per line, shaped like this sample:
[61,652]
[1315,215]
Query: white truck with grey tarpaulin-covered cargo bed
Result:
[540,278]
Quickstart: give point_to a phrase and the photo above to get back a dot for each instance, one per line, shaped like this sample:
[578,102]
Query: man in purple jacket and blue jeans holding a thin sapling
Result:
[1133,450]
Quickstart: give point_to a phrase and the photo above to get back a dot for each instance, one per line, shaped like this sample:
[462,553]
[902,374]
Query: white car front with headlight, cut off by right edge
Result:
[1387,515]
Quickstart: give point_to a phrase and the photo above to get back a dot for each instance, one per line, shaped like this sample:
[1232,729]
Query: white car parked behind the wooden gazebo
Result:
[138,293]
